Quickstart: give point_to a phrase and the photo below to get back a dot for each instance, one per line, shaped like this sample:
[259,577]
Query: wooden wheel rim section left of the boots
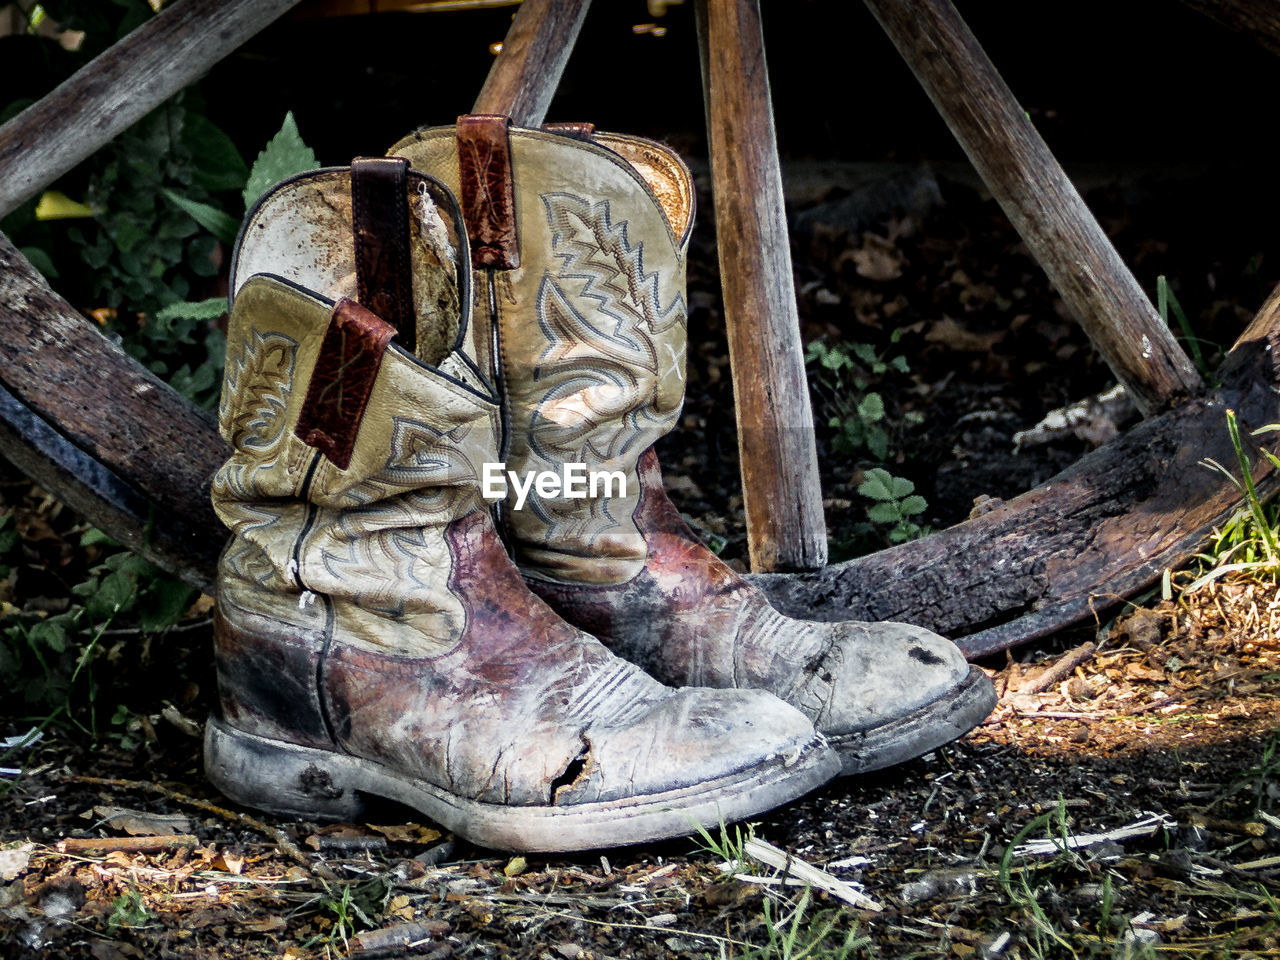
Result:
[103,435]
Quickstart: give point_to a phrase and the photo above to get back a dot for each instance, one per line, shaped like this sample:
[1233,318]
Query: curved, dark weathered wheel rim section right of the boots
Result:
[1092,536]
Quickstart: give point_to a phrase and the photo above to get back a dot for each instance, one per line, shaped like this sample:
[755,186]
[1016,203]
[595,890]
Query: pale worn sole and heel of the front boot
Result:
[322,785]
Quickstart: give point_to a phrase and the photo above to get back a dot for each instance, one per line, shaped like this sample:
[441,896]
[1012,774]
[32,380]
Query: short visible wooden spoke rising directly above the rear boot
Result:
[525,75]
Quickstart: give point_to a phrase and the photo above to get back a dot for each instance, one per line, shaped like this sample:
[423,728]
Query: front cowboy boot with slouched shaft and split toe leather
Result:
[373,637]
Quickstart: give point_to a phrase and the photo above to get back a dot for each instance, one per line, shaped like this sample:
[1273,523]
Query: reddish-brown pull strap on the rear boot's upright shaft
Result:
[488,191]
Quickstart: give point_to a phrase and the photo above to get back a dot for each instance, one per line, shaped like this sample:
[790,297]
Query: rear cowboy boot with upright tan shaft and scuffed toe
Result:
[583,237]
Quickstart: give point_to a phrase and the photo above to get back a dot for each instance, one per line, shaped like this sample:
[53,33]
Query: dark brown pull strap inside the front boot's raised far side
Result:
[380,209]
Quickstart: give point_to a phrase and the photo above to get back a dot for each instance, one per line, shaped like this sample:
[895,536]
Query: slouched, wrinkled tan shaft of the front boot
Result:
[351,456]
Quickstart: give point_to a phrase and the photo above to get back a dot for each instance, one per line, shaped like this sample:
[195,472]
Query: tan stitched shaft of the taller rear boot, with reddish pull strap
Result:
[583,244]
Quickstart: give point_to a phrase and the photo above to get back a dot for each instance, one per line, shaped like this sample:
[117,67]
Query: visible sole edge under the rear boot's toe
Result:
[916,734]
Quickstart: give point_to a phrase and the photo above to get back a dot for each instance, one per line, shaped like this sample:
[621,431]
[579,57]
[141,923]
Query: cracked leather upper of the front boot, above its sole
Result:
[372,611]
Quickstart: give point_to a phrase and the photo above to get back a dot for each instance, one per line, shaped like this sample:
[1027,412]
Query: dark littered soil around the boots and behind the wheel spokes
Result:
[1148,762]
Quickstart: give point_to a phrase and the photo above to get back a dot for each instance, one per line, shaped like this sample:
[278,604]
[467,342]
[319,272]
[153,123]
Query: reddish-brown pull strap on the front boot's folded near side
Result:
[344,378]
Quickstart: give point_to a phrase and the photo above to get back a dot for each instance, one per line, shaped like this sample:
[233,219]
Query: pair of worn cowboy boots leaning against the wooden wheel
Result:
[373,636]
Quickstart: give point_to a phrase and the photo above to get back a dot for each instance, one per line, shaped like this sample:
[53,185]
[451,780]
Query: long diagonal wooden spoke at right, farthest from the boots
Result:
[1040,200]
